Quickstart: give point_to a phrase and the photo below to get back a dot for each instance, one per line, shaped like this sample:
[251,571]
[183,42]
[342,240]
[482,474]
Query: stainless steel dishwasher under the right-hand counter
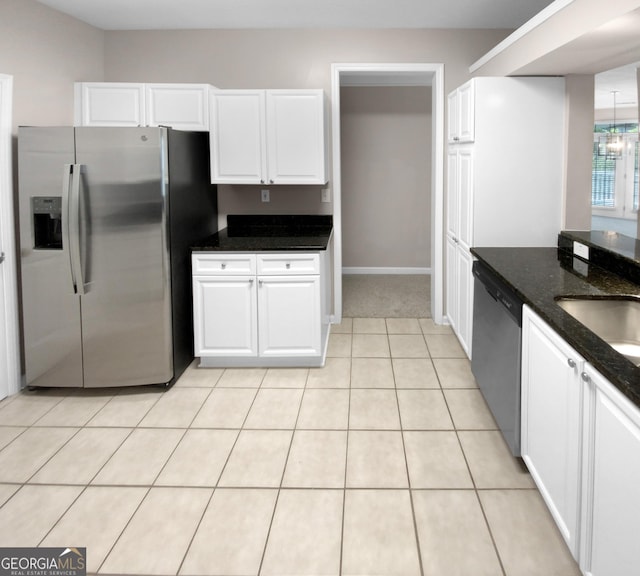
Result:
[496,345]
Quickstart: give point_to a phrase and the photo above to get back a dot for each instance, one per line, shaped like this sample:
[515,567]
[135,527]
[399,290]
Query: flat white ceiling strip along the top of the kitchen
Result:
[207,14]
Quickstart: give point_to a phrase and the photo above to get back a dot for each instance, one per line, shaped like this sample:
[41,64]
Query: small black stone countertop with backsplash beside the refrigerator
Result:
[269,233]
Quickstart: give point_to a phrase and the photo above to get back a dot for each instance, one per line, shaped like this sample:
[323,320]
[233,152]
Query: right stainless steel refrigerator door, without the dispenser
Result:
[126,309]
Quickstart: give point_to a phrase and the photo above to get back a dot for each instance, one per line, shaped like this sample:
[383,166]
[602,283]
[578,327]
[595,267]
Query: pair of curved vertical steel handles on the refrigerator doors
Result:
[71,192]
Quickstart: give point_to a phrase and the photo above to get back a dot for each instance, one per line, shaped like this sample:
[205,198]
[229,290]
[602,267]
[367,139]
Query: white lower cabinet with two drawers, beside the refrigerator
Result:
[259,309]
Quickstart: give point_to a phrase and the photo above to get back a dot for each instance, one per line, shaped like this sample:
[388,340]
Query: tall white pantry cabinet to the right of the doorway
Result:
[504,177]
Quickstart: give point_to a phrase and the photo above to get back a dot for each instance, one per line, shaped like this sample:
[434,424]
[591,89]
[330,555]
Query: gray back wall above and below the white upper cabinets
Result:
[282,59]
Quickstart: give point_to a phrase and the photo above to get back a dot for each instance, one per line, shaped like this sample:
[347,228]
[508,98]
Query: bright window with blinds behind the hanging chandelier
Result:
[614,183]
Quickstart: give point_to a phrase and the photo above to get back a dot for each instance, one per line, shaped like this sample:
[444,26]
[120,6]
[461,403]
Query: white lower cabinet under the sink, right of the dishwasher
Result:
[581,443]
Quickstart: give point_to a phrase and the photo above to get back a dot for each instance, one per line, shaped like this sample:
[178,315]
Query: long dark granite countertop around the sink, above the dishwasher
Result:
[539,275]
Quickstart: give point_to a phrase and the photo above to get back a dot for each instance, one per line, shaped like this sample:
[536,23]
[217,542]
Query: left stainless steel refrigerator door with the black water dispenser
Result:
[51,310]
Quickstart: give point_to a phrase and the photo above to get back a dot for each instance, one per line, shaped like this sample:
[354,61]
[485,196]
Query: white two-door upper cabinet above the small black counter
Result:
[268,137]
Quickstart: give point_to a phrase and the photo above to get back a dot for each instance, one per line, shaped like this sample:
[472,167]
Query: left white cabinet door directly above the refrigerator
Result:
[109,104]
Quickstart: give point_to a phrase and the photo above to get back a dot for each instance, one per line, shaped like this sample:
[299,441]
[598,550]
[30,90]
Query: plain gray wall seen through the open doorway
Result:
[386,176]
